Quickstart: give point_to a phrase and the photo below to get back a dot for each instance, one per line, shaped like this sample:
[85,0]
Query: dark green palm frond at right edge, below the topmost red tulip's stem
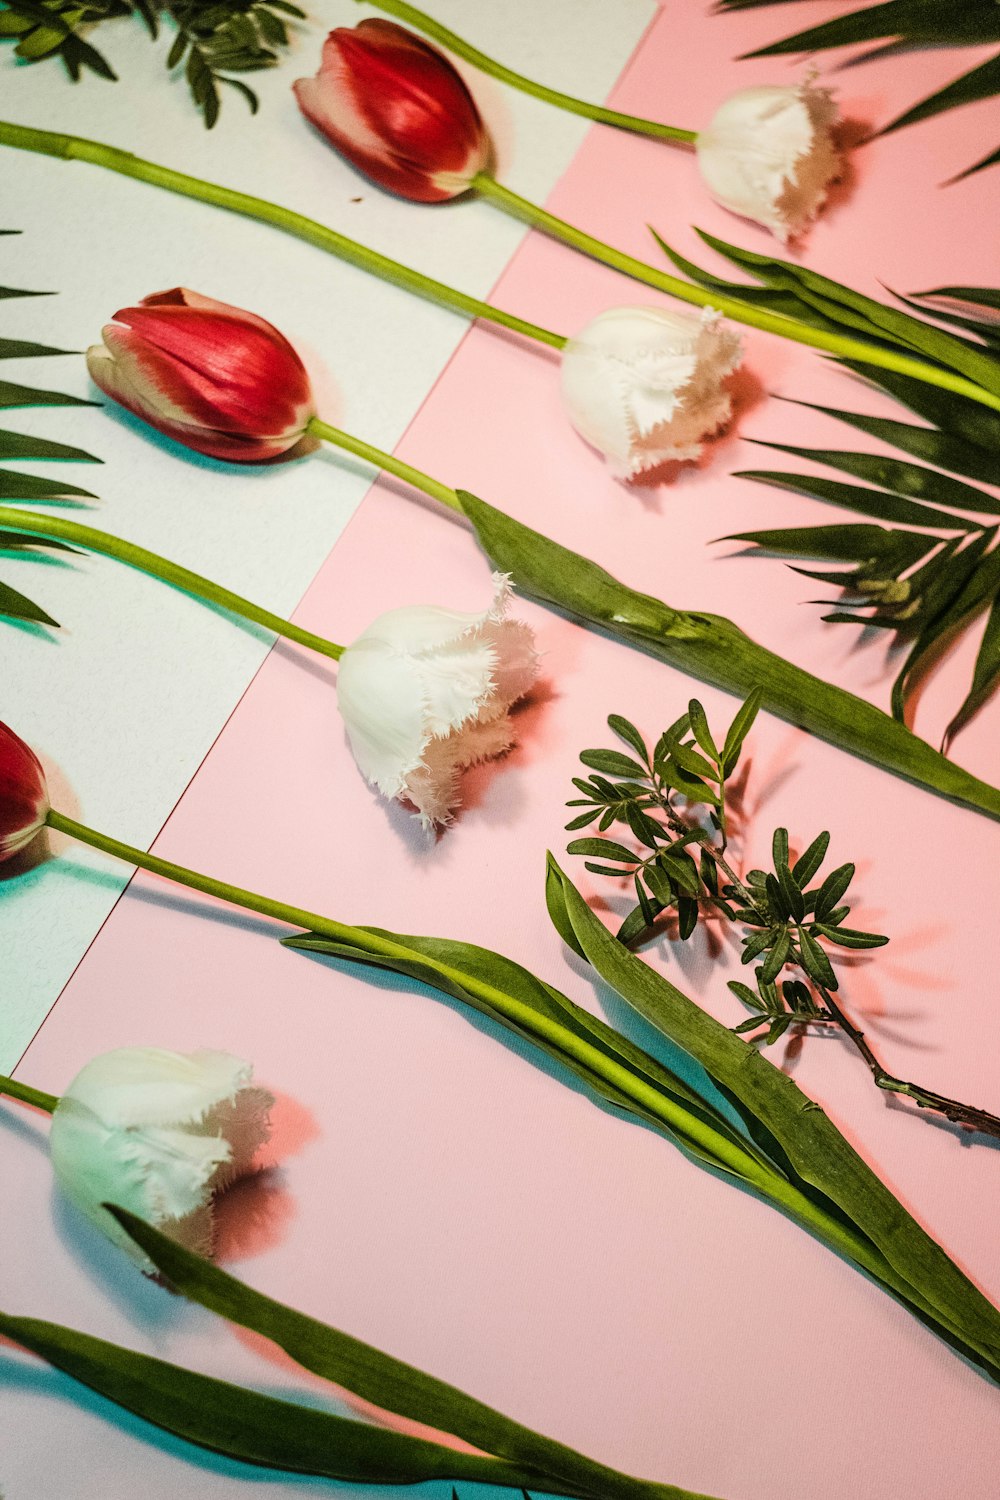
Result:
[923,584]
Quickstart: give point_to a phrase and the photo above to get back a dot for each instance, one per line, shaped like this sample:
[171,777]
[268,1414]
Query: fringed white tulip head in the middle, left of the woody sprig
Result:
[427,692]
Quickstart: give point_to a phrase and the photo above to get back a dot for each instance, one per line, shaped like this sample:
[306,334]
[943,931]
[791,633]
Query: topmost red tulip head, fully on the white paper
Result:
[398,110]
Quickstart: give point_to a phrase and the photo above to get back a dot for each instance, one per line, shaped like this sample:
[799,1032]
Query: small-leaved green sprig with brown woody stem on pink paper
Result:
[672,802]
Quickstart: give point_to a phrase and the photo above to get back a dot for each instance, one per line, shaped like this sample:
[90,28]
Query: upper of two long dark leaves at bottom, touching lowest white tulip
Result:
[374,1376]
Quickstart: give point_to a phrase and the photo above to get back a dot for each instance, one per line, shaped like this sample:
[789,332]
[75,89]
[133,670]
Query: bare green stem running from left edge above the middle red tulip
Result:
[74,148]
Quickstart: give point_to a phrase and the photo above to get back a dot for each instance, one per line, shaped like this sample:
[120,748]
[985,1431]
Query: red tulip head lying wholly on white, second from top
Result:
[217,379]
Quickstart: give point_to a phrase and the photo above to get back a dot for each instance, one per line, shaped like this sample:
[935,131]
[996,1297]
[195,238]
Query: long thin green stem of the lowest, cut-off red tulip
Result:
[728,1156]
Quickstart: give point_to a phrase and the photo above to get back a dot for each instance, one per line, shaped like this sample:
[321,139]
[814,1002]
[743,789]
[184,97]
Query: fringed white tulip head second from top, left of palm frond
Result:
[645,385]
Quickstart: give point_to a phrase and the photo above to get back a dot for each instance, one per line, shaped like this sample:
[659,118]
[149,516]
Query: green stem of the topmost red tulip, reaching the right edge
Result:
[836,344]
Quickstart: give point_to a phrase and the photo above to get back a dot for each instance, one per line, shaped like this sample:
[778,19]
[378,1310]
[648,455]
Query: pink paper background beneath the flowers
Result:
[440,1192]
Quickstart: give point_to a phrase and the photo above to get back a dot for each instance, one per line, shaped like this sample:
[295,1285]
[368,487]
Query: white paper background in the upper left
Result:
[127,698]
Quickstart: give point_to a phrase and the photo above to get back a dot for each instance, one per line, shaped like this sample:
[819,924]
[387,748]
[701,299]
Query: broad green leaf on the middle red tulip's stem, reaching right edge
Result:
[714,650]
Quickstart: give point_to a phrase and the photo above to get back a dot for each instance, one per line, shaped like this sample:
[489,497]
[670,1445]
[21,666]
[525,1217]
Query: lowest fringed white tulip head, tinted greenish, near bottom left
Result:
[160,1135]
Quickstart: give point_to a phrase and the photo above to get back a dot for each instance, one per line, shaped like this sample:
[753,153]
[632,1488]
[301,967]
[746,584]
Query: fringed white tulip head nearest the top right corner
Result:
[768,155]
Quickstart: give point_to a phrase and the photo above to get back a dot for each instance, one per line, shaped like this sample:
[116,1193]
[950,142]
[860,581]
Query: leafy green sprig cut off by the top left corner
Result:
[212,38]
